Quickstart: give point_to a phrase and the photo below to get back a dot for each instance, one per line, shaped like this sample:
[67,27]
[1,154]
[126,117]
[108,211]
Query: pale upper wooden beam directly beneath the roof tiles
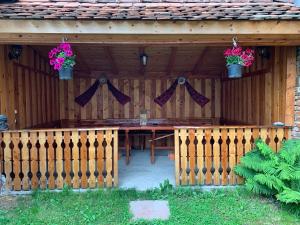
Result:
[148,27]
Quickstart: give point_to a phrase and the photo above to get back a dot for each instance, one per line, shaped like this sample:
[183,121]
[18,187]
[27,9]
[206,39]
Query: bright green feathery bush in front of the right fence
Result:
[273,174]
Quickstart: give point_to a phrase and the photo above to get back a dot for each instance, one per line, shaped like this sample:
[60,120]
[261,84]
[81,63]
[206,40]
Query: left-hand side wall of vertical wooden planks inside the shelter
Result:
[28,88]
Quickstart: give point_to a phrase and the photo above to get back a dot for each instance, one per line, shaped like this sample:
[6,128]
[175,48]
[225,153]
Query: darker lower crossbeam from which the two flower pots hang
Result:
[152,39]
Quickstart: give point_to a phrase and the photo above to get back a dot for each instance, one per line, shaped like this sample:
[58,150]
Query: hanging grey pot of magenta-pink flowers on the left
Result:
[62,59]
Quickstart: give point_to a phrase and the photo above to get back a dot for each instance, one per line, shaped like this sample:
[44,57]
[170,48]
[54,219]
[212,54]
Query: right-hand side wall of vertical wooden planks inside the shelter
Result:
[262,98]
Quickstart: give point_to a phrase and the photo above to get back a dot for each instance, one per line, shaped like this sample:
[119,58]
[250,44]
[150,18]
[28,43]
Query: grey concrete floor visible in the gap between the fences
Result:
[141,174]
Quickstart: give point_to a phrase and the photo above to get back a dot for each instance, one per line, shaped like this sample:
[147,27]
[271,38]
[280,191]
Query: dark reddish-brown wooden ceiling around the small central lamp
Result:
[163,60]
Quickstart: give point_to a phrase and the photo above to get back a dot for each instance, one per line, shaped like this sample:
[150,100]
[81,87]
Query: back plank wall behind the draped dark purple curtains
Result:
[142,92]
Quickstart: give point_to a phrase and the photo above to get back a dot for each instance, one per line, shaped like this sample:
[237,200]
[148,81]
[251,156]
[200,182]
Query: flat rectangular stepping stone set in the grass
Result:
[150,210]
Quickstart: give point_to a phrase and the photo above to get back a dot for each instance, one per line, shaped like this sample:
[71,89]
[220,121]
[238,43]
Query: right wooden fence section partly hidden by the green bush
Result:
[208,155]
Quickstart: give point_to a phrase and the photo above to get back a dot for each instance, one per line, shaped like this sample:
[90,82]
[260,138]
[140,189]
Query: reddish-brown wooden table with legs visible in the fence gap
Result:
[152,129]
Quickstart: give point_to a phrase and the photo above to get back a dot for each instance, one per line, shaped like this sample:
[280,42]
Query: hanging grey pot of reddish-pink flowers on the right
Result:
[236,58]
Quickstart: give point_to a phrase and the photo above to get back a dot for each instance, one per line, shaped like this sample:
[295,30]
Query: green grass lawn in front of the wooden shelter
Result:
[111,207]
